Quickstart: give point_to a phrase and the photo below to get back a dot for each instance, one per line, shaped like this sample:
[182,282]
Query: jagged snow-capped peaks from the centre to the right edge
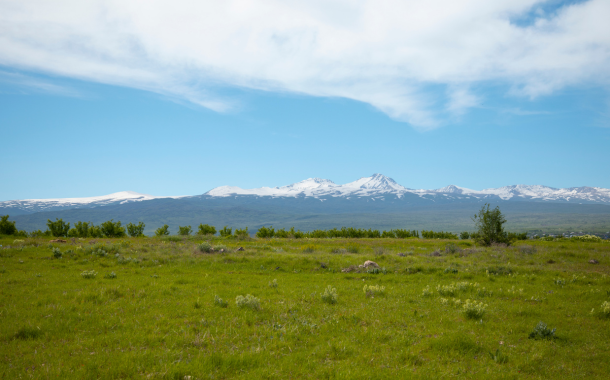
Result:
[380,185]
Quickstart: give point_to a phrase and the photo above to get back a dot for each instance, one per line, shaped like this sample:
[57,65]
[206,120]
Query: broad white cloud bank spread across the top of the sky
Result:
[382,52]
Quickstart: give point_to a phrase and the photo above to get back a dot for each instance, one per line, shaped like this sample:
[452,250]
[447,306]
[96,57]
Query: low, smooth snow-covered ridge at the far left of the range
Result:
[53,204]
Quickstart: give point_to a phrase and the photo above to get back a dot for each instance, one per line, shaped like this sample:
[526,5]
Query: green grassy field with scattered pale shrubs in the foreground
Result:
[163,315]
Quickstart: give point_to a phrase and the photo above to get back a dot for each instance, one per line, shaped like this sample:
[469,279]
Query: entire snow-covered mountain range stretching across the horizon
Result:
[374,188]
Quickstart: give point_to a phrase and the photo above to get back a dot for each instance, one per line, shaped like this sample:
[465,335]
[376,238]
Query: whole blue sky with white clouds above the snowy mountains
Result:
[167,119]
